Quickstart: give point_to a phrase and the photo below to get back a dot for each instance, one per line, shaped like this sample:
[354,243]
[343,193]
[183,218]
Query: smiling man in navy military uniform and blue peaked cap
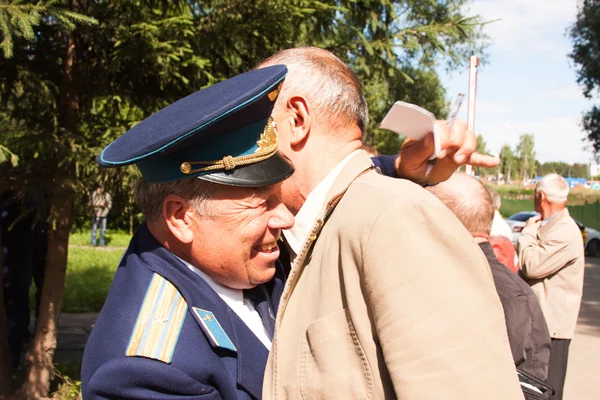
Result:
[189,312]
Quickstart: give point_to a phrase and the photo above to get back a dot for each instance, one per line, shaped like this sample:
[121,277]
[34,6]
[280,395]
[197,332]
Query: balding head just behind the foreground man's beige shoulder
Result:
[469,200]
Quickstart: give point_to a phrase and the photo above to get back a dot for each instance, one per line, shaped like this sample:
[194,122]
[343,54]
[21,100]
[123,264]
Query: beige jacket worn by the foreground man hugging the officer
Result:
[393,301]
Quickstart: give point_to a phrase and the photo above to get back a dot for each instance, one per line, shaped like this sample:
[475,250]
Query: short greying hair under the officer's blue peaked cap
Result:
[150,196]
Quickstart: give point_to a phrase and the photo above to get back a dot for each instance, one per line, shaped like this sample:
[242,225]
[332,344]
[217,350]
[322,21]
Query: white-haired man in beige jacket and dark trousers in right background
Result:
[552,261]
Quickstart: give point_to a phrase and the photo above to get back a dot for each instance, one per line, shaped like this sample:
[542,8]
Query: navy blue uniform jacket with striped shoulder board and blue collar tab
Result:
[163,333]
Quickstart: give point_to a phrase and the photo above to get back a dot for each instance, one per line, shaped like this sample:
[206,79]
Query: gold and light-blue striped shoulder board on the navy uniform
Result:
[159,322]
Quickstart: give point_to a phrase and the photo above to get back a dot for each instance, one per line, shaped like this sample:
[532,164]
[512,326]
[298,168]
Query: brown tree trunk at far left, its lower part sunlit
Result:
[40,355]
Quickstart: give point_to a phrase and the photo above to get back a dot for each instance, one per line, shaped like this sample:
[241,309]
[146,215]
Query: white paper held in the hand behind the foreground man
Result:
[411,121]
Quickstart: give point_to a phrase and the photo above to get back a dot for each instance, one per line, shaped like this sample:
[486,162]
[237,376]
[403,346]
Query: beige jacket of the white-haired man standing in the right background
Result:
[553,263]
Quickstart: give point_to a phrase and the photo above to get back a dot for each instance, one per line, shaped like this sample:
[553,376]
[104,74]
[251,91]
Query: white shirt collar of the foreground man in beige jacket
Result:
[311,208]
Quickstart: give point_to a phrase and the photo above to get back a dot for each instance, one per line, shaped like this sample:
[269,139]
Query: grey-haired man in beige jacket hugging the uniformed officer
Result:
[388,295]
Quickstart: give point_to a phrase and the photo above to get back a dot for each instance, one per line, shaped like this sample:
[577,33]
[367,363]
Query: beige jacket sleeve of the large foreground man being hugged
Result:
[450,339]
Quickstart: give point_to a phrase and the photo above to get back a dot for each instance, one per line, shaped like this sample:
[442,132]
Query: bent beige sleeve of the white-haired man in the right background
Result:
[539,260]
